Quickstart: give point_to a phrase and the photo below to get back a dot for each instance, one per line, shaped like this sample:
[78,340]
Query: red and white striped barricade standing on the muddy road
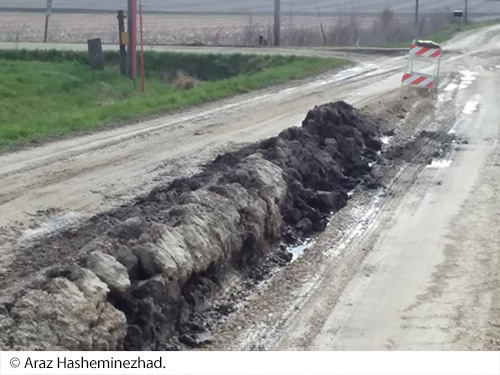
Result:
[430,54]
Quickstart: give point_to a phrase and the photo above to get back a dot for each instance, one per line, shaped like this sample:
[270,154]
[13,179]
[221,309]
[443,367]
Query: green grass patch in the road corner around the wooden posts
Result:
[43,100]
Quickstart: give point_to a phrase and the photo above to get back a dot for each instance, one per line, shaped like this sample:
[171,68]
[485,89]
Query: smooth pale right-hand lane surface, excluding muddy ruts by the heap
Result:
[430,281]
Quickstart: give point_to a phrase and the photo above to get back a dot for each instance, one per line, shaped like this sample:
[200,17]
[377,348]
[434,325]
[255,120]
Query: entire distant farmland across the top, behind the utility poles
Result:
[235,22]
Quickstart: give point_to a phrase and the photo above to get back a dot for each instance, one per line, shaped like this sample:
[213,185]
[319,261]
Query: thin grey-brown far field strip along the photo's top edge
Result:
[245,6]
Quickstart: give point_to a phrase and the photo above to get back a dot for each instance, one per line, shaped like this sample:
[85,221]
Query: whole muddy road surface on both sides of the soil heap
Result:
[413,266]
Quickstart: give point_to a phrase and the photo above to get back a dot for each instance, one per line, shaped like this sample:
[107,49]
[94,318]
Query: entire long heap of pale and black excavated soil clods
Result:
[141,276]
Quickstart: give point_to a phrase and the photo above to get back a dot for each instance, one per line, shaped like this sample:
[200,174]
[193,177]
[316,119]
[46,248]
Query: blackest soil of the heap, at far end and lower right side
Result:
[321,162]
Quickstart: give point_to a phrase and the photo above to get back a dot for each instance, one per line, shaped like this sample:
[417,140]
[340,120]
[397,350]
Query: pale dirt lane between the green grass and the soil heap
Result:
[49,187]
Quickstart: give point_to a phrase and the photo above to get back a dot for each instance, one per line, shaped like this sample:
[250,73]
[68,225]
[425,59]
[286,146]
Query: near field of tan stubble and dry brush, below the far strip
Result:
[219,29]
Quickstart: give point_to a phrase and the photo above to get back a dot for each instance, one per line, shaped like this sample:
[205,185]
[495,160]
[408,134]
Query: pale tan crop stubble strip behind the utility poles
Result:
[159,28]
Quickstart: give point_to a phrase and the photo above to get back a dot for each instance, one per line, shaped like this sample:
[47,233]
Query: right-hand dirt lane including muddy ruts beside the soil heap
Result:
[414,267]
